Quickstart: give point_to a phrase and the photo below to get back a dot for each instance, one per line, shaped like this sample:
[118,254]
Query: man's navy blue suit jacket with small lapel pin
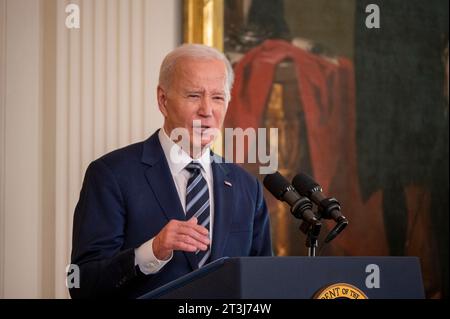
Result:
[129,195]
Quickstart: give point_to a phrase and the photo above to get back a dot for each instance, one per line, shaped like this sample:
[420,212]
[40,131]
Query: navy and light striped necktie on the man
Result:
[197,204]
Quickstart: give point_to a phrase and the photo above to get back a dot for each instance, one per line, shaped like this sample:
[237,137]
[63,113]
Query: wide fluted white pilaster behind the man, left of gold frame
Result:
[107,75]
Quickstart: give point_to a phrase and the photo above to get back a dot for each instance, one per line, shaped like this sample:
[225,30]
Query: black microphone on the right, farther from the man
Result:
[328,207]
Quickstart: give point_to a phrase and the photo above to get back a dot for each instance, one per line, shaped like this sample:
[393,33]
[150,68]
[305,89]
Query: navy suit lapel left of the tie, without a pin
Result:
[162,184]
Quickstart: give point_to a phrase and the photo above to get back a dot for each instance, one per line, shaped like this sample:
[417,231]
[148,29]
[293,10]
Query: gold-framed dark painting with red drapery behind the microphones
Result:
[358,91]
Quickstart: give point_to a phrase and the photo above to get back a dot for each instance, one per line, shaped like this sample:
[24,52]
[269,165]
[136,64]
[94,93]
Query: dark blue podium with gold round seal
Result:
[300,277]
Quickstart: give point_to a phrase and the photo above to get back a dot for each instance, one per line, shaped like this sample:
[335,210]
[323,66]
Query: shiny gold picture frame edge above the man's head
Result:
[203,22]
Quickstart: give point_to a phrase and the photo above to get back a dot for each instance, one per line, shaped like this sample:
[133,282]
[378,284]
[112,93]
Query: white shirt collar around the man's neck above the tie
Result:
[179,159]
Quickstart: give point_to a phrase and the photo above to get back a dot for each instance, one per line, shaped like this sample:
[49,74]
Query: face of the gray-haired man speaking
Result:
[196,92]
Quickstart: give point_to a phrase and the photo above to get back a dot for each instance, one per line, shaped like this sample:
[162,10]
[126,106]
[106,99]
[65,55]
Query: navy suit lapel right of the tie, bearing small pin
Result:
[223,197]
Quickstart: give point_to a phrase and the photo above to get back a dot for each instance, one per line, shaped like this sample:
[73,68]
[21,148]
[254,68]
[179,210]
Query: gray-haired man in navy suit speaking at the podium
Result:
[156,210]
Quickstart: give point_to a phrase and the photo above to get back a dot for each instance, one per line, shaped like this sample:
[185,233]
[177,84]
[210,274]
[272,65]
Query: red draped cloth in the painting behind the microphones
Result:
[327,94]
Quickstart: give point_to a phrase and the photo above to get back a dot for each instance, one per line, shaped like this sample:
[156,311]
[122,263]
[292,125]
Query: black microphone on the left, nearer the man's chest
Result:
[301,206]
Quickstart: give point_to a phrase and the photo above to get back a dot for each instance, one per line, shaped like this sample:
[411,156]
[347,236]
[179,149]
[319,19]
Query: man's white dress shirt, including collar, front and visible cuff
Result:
[177,160]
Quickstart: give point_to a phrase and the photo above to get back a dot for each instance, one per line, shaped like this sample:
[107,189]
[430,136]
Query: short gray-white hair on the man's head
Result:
[196,51]
